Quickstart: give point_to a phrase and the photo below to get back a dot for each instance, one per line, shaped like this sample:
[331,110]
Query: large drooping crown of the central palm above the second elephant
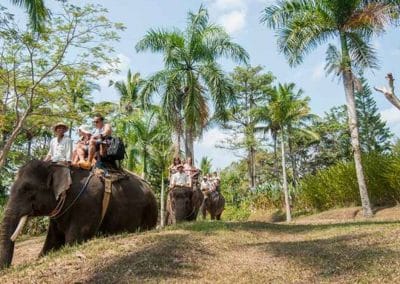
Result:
[191,77]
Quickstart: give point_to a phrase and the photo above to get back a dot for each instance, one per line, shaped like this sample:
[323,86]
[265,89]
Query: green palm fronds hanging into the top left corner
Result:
[37,12]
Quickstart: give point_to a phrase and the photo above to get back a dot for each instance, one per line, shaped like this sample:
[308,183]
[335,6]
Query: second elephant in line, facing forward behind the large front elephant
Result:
[183,204]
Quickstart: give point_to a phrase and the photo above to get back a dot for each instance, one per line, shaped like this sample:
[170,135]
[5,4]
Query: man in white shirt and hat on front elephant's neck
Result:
[60,146]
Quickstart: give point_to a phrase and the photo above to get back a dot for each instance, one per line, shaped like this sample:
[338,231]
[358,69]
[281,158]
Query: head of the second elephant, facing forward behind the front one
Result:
[181,203]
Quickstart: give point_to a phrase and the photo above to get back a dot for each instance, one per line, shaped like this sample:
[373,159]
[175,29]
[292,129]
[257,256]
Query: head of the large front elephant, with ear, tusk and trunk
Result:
[34,193]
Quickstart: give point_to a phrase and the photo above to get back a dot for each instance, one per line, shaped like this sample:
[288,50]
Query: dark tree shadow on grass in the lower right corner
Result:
[344,256]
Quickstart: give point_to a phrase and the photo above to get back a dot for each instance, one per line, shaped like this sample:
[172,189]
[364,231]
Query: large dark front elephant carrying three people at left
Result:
[132,206]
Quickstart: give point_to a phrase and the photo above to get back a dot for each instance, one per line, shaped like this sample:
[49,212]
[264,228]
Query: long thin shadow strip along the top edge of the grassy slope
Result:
[214,226]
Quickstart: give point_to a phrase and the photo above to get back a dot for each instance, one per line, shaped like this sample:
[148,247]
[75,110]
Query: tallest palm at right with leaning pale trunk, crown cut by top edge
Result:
[302,25]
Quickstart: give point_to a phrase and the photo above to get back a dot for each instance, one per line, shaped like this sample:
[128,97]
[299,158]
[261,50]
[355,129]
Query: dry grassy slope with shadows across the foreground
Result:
[228,252]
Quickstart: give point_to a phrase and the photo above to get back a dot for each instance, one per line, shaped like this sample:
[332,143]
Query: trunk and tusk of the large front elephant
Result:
[12,224]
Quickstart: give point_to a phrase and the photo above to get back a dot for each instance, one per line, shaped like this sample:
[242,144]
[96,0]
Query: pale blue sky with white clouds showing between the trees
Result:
[241,19]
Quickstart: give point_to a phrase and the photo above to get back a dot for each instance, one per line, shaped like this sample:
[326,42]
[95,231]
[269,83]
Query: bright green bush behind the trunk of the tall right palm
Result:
[337,186]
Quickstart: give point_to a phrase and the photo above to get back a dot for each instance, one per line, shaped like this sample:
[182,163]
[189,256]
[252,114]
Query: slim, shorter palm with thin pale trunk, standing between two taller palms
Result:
[286,111]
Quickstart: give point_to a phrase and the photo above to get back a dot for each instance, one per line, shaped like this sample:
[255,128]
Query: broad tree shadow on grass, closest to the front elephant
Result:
[162,257]
